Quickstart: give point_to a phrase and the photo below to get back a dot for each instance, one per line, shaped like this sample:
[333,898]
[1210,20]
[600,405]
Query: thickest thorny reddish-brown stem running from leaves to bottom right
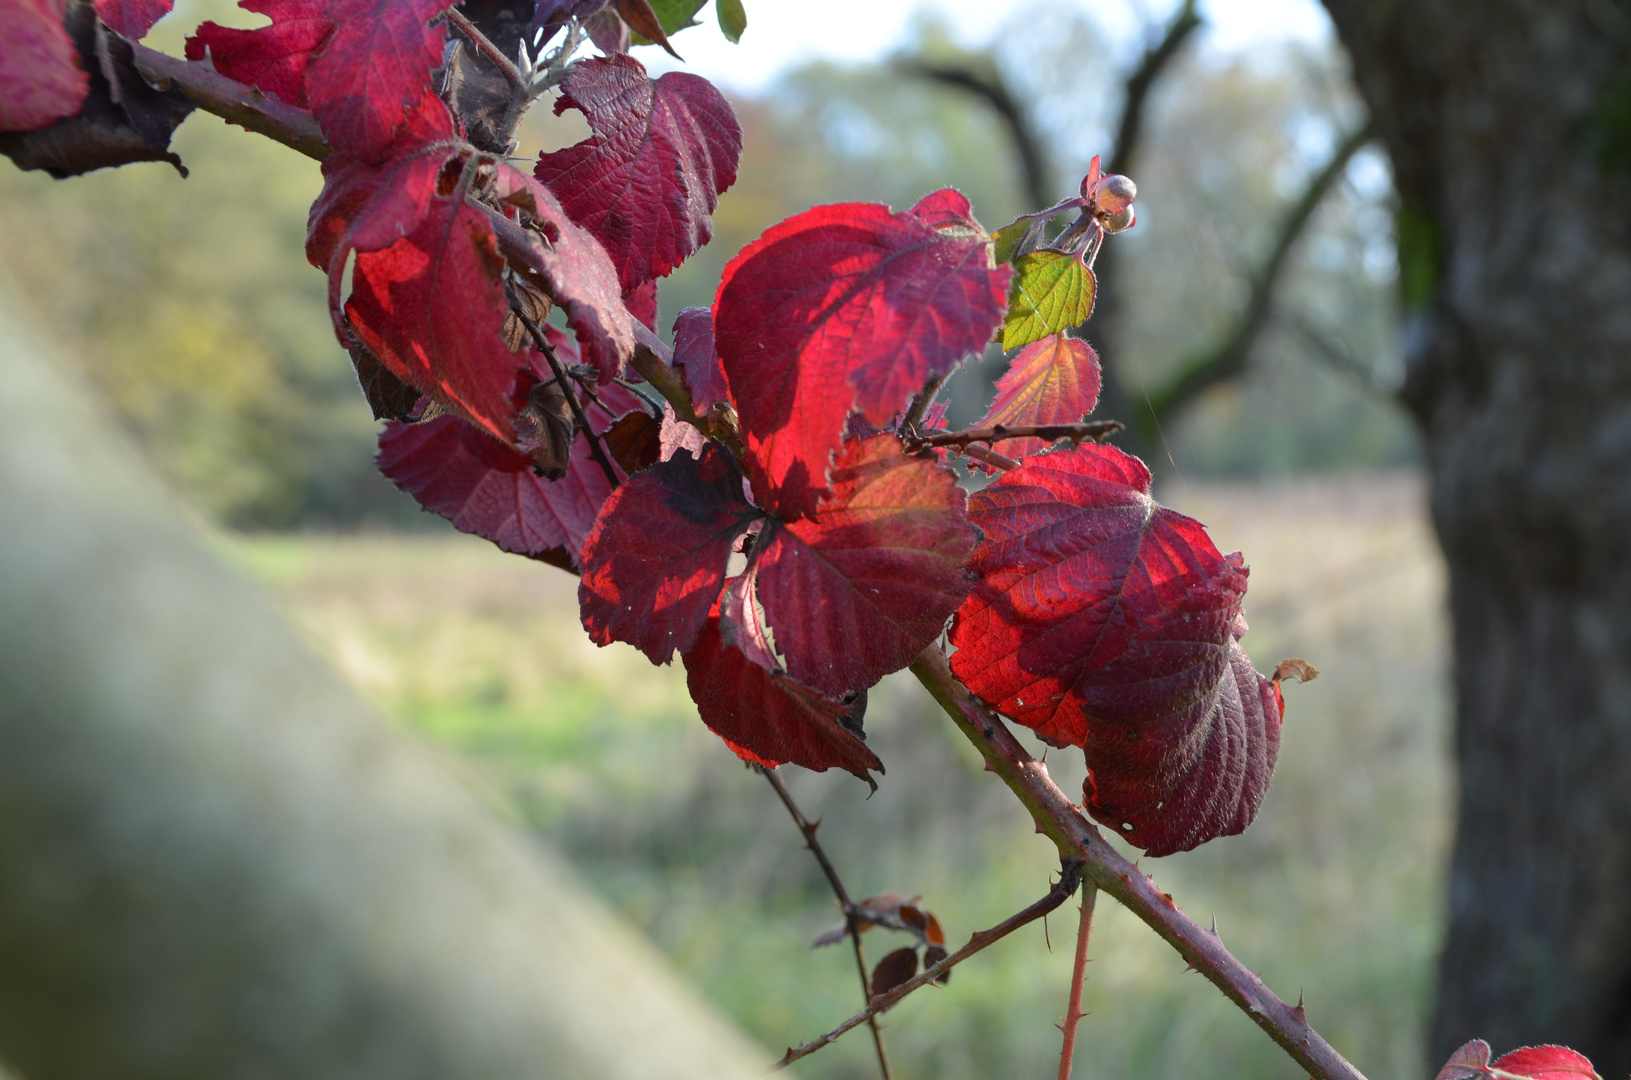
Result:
[1103,865]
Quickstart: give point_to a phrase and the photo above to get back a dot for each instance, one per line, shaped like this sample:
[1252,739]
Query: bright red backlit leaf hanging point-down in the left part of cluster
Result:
[431,309]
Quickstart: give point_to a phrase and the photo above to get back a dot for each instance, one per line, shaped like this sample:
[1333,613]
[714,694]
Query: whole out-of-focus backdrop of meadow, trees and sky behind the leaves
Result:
[197,317]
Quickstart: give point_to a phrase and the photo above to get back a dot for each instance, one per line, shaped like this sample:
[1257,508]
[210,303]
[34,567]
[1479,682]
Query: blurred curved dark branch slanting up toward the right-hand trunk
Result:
[1229,358]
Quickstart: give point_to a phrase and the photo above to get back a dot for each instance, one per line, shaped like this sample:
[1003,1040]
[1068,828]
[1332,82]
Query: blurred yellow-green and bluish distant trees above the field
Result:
[197,314]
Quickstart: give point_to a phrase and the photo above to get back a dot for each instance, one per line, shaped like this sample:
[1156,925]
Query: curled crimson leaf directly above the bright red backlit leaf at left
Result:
[368,208]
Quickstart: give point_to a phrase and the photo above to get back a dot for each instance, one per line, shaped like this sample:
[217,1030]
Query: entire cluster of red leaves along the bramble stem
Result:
[1077,606]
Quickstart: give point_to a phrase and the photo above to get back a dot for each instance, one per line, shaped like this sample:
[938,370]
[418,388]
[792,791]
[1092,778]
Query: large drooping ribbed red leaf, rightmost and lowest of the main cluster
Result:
[1108,622]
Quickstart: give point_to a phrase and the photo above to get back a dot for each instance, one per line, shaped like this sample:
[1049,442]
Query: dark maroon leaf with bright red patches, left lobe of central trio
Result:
[655,564]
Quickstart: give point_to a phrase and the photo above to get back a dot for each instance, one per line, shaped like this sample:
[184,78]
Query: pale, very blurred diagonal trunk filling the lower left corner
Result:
[216,864]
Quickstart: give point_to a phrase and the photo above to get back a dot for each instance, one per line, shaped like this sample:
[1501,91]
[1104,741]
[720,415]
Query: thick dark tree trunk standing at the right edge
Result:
[1516,275]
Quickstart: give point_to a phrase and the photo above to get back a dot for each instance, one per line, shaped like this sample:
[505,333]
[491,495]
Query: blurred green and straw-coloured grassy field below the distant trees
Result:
[1335,893]
